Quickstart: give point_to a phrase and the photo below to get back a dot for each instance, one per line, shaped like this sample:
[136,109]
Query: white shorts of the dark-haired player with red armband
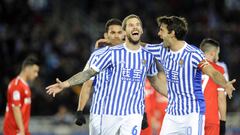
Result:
[191,124]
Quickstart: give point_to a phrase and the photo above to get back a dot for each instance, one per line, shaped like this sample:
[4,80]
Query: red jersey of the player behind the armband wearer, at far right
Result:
[210,89]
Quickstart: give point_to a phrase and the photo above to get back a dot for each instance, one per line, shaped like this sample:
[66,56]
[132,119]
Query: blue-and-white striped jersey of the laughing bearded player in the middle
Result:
[125,94]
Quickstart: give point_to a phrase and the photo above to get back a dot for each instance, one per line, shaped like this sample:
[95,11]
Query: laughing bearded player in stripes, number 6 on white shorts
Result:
[123,105]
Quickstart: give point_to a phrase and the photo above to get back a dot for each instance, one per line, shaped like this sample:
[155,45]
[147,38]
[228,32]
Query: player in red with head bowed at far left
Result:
[18,107]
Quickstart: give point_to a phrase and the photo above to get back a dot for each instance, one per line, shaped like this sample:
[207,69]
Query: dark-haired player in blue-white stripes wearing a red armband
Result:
[183,65]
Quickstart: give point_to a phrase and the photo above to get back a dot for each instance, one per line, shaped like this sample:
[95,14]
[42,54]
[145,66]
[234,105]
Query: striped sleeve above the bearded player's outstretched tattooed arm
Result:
[103,61]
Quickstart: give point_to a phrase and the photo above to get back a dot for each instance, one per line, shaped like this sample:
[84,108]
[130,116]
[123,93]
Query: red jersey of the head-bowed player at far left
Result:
[18,94]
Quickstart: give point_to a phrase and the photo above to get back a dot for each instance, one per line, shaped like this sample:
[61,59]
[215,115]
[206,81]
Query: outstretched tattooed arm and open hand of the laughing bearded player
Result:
[78,78]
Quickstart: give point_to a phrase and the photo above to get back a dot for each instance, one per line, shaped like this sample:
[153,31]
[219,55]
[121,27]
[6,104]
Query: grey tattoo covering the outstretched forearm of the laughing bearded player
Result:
[81,77]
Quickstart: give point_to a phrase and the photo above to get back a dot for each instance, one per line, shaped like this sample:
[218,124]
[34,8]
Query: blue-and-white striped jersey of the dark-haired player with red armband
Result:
[184,78]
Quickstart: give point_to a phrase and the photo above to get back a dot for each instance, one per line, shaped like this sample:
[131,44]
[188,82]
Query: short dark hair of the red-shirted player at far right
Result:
[208,43]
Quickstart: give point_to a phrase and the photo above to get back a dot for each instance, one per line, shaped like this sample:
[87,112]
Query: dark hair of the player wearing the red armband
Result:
[174,23]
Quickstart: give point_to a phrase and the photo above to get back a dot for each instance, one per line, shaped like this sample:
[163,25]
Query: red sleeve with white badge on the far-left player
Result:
[15,96]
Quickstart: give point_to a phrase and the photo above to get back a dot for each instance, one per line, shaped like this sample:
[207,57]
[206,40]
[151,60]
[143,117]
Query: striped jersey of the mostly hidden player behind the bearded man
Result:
[100,82]
